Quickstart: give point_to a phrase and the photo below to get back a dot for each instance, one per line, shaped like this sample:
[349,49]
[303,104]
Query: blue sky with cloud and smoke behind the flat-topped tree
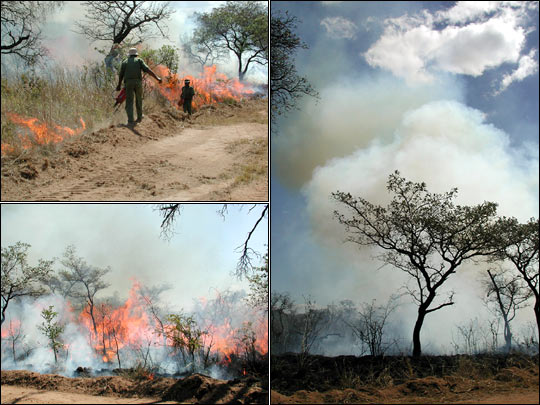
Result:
[445,92]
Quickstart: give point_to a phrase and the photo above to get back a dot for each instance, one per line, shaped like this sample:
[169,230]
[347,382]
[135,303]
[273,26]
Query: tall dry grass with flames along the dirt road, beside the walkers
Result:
[40,113]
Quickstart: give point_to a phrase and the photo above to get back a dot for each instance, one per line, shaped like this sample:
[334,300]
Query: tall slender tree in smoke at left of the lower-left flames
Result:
[84,281]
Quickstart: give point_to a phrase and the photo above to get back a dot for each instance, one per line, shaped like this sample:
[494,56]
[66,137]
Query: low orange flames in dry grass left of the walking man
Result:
[40,133]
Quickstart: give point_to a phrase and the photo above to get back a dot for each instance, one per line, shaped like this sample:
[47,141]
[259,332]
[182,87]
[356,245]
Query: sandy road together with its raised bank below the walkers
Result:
[218,154]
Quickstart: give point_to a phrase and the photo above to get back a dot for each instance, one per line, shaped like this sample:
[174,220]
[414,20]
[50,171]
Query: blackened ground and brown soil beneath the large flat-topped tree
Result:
[399,379]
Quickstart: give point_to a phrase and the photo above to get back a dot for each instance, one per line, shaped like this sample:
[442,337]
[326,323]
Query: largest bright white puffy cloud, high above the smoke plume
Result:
[476,37]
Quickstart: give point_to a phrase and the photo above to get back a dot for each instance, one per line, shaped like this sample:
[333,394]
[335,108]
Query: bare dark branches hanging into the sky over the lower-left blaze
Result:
[170,212]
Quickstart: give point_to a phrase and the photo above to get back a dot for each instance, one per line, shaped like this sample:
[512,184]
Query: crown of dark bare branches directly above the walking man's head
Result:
[116,20]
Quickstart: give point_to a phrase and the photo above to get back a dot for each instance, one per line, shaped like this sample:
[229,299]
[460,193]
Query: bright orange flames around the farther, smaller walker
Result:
[210,86]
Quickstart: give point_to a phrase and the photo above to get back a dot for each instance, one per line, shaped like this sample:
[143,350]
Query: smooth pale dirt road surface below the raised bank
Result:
[194,165]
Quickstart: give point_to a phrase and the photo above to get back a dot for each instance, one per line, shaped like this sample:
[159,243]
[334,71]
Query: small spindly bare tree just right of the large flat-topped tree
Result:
[506,294]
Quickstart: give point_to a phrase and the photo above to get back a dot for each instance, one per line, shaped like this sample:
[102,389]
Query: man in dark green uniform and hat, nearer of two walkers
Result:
[131,73]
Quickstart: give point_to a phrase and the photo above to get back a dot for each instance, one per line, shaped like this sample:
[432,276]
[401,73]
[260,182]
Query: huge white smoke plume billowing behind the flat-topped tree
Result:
[362,130]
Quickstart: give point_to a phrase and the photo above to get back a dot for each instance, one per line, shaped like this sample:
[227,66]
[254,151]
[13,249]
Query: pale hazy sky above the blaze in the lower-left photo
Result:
[198,258]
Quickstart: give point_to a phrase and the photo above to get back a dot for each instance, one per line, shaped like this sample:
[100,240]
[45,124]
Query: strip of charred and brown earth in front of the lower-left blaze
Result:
[196,388]
